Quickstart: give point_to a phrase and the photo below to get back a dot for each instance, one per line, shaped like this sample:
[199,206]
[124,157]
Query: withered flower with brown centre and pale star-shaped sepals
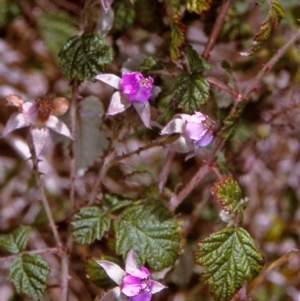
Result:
[38,116]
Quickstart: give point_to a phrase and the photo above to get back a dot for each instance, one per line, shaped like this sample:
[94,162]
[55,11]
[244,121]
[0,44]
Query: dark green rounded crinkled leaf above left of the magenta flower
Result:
[82,57]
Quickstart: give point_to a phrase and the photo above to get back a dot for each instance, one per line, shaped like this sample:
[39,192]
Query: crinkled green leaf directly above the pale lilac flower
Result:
[191,91]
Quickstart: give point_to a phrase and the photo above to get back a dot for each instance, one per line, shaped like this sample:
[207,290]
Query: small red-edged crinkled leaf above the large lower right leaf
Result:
[228,193]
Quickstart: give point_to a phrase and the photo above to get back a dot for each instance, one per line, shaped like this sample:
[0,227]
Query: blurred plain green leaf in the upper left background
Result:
[55,27]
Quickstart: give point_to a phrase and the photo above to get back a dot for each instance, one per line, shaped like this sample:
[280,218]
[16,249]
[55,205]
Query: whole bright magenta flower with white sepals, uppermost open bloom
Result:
[133,89]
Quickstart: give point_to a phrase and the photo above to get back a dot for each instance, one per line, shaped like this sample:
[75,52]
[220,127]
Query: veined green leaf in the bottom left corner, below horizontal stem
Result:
[28,274]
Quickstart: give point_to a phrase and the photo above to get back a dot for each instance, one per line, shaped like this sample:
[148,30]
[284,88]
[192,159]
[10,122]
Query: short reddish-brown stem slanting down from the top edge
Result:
[217,28]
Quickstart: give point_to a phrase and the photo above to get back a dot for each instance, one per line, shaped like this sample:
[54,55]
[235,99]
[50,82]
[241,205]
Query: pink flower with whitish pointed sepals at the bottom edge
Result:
[134,282]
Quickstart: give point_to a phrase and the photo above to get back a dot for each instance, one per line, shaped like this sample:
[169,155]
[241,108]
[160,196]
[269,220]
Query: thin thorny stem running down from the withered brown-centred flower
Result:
[42,191]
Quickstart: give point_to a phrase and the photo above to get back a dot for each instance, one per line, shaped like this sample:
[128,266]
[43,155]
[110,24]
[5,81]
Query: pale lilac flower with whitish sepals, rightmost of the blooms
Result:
[196,130]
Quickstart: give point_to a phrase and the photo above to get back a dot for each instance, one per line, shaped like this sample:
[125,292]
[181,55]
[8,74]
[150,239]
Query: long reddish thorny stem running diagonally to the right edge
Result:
[177,199]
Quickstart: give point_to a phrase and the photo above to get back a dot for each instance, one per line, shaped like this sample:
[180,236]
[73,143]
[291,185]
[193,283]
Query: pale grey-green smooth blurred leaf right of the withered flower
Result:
[91,141]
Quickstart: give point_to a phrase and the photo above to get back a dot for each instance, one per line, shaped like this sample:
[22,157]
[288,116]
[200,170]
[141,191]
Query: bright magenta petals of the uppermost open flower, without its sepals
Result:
[136,87]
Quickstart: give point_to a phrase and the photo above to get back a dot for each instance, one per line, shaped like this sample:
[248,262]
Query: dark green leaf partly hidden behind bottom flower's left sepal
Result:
[97,274]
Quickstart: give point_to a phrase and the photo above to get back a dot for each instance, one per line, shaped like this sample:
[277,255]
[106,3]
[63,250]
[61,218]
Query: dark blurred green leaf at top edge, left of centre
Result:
[124,15]
